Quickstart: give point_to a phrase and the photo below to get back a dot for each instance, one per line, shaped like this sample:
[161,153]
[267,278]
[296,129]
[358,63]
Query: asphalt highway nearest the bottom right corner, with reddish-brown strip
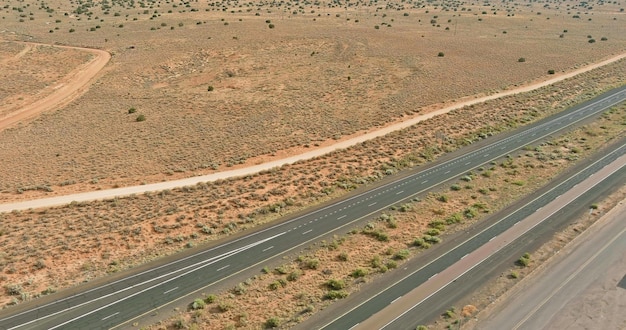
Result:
[421,310]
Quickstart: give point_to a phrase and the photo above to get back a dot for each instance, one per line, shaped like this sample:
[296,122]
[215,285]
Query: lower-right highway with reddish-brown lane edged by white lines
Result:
[463,266]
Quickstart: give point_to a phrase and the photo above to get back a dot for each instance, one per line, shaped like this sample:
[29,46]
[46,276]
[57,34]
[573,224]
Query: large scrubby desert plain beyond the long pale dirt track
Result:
[300,84]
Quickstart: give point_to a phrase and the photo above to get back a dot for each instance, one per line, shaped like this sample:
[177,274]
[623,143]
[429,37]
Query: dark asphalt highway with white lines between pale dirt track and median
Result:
[115,303]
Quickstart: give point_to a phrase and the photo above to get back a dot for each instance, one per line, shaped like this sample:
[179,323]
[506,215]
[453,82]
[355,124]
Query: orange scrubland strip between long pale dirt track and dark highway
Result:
[88,240]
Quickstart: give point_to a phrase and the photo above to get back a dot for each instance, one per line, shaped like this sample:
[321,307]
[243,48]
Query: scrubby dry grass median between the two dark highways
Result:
[467,201]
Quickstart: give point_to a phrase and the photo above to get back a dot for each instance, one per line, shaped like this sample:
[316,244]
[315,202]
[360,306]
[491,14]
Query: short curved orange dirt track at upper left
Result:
[72,86]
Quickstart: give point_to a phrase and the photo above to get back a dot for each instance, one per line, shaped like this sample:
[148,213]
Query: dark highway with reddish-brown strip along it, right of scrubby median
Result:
[431,278]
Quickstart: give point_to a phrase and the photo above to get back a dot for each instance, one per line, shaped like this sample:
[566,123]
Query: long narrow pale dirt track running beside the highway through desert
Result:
[125,191]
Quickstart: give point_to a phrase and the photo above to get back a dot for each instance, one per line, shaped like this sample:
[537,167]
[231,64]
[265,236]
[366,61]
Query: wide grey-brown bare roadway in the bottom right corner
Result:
[542,300]
